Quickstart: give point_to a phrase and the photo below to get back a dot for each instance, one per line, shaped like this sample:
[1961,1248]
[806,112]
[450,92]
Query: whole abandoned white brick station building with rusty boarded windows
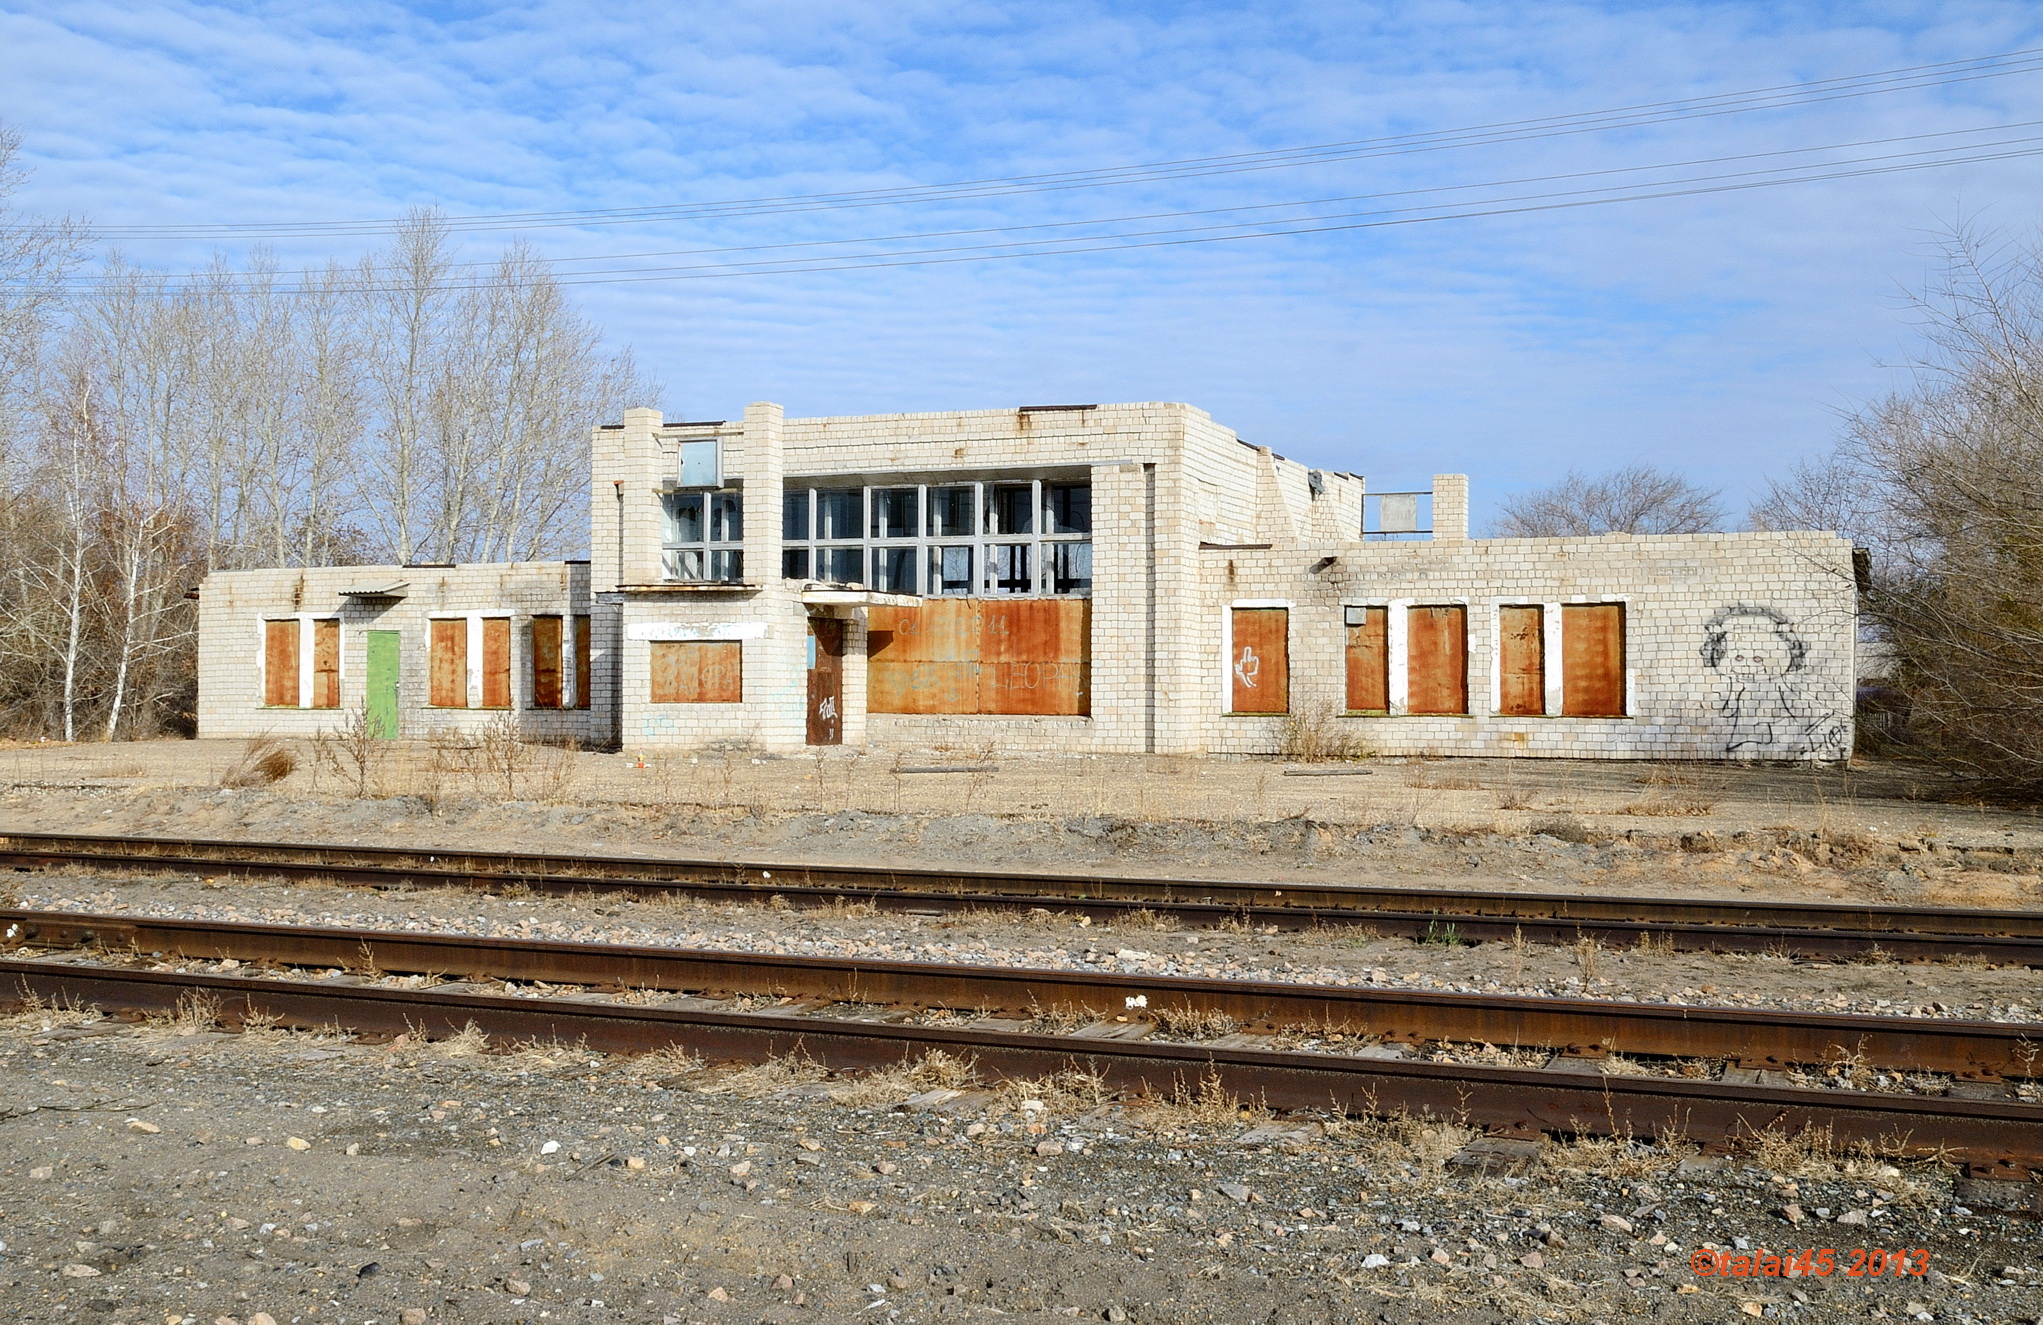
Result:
[1086,579]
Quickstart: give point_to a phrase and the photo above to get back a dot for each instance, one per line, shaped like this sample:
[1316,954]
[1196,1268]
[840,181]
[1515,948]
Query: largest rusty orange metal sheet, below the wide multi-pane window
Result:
[1029,656]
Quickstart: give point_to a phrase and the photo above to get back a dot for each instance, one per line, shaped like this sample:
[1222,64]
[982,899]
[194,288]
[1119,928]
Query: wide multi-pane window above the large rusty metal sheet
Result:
[945,540]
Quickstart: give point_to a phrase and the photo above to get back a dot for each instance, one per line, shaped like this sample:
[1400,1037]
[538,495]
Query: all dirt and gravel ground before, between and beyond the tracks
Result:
[179,1175]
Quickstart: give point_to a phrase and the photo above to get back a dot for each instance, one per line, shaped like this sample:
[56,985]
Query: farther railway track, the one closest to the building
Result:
[1807,930]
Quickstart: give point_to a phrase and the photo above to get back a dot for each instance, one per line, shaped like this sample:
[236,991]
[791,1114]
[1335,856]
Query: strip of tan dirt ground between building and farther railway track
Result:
[1864,834]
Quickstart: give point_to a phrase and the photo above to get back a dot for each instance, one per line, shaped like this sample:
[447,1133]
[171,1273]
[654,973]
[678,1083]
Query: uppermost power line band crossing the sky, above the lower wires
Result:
[1286,158]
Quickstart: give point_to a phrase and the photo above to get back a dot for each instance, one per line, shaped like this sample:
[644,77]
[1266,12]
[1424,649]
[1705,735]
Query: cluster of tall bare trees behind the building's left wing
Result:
[154,430]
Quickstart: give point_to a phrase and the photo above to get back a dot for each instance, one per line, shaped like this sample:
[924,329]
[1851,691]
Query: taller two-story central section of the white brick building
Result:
[1020,579]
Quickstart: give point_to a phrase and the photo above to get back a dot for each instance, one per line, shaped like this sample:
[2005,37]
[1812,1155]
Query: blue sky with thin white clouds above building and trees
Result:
[1713,334]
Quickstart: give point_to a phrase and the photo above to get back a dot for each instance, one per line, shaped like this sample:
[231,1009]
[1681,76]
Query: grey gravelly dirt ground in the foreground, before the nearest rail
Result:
[177,1175]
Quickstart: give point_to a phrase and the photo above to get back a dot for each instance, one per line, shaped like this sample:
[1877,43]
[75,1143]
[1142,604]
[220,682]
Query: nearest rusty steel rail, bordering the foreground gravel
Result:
[1991,1136]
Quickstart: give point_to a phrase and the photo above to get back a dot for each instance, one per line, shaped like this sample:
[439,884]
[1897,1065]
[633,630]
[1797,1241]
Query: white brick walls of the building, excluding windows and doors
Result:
[1186,522]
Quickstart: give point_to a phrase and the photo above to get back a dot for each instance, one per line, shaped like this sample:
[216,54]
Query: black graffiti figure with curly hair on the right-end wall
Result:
[1762,695]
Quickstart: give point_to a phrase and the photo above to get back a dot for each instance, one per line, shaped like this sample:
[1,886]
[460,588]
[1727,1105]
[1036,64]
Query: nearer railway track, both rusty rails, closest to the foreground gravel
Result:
[875,1026]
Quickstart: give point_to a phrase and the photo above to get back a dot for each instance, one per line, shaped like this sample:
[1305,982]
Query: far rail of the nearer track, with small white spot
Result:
[1754,1038]
